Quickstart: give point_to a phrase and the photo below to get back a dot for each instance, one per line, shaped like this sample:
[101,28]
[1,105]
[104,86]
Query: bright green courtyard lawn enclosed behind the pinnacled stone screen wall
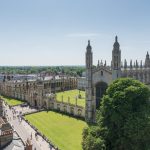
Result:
[72,94]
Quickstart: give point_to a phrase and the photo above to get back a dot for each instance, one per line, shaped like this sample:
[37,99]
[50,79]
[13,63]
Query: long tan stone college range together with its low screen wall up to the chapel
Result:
[41,93]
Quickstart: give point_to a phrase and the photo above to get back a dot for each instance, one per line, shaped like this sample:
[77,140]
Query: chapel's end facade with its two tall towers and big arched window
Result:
[98,78]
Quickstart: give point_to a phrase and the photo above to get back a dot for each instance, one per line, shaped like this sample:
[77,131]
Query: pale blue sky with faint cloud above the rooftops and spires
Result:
[55,32]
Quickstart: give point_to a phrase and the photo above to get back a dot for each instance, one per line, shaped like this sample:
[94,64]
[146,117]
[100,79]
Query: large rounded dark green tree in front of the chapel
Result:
[125,115]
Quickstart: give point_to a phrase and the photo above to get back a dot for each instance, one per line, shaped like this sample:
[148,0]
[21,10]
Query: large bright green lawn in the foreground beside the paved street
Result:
[65,132]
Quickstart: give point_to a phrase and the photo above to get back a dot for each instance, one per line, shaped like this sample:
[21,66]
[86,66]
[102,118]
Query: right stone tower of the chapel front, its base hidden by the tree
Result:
[116,60]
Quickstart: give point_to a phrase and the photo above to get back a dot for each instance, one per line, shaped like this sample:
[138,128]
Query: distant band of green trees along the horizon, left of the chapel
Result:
[65,70]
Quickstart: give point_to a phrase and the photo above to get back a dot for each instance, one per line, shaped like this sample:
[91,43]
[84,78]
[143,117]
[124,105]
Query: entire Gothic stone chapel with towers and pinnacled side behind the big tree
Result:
[99,77]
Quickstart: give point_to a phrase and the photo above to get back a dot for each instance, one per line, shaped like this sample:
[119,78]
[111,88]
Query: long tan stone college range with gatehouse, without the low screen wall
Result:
[34,91]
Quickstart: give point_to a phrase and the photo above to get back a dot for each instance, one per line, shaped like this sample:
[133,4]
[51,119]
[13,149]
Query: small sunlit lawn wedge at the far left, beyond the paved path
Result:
[11,101]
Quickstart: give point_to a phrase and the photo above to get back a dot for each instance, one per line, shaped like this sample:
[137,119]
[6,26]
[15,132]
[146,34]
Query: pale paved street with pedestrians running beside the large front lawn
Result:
[24,130]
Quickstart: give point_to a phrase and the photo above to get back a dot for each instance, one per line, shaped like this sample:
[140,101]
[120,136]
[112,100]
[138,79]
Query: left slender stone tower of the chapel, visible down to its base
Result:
[89,108]
